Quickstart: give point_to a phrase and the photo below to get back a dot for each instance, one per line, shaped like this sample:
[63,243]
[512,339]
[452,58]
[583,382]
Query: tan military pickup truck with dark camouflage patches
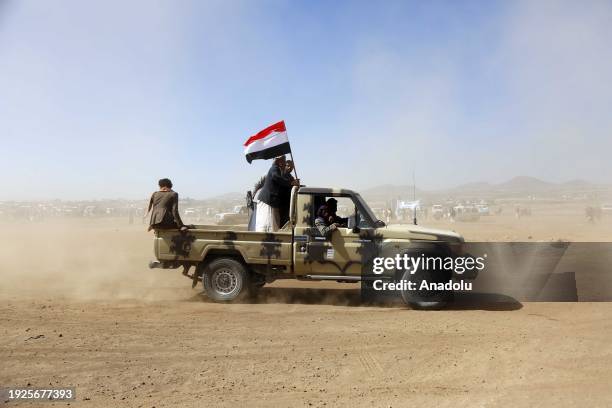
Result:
[233,262]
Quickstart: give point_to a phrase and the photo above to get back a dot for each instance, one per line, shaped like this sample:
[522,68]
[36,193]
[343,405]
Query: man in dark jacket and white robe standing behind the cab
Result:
[268,217]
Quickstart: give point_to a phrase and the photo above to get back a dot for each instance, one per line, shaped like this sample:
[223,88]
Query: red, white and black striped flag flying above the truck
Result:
[268,144]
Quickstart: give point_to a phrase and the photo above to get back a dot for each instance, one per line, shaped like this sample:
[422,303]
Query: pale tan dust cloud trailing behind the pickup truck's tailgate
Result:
[82,260]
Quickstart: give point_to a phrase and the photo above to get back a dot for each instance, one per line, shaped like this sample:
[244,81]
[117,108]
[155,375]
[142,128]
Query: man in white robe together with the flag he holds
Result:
[271,142]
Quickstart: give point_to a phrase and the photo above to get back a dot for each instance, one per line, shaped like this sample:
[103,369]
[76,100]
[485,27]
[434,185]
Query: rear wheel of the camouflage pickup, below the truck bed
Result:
[225,279]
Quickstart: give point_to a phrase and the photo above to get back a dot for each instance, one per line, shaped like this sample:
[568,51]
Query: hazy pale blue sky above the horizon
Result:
[102,98]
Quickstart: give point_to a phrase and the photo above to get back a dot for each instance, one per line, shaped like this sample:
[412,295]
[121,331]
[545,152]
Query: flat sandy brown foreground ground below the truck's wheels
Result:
[189,353]
